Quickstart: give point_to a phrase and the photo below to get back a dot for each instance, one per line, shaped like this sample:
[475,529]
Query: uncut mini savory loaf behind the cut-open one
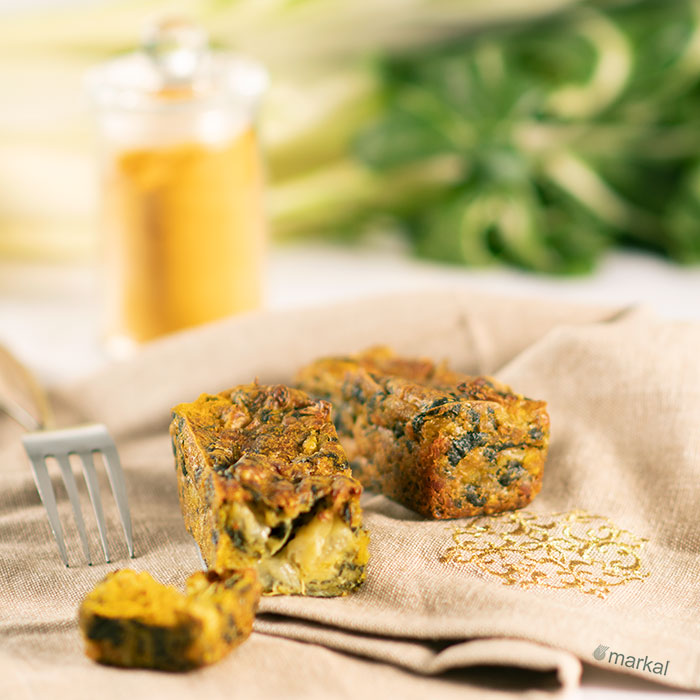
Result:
[444,444]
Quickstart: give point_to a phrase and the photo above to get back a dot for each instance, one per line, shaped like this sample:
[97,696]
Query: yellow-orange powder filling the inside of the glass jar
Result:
[185,236]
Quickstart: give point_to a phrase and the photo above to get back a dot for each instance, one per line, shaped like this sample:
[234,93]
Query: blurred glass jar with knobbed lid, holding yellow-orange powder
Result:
[183,212]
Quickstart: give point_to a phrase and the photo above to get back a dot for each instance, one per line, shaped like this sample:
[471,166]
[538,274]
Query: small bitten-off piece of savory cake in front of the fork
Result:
[131,620]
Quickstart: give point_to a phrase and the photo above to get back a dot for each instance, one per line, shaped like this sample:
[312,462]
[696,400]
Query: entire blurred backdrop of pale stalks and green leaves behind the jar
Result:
[536,134]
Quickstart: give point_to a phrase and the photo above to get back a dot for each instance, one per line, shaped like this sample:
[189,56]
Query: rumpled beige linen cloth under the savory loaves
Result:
[605,560]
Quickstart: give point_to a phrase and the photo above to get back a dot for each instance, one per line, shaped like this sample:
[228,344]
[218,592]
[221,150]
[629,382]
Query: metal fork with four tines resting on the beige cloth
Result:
[84,441]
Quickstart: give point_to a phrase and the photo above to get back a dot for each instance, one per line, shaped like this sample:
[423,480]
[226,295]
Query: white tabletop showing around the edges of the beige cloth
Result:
[50,319]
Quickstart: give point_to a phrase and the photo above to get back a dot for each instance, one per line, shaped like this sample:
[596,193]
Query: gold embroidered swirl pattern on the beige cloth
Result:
[560,550]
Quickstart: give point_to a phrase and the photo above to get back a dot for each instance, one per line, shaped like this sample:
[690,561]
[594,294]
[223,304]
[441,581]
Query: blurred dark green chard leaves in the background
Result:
[575,133]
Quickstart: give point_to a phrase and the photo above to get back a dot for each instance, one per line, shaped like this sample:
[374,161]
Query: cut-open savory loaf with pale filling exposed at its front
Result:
[264,482]
